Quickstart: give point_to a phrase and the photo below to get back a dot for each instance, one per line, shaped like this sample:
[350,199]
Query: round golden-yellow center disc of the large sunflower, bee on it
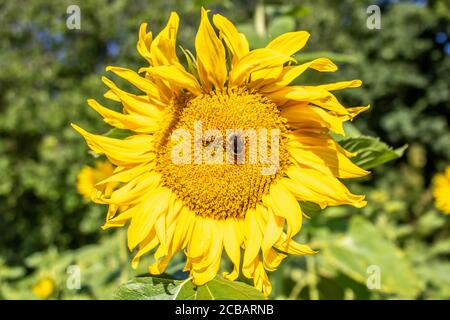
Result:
[220,151]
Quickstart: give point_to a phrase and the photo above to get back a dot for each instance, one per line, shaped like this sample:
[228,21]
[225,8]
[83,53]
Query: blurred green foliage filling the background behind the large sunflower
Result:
[48,72]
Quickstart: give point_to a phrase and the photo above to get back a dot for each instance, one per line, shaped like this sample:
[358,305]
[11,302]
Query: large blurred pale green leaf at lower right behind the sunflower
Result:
[363,246]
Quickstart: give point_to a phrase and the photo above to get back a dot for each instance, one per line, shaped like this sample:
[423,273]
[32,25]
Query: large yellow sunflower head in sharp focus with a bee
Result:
[207,208]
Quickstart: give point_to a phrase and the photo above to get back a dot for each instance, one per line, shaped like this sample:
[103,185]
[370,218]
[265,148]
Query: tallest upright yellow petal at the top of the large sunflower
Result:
[211,61]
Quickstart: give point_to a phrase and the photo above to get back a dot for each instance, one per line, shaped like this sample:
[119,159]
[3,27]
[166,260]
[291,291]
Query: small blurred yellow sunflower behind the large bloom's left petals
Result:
[88,177]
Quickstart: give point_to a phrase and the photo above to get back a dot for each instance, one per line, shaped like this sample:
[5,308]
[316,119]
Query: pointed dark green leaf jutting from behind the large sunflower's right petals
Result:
[371,152]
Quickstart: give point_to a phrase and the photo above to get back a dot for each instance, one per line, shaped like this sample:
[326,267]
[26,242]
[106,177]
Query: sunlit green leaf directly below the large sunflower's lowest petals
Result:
[153,288]
